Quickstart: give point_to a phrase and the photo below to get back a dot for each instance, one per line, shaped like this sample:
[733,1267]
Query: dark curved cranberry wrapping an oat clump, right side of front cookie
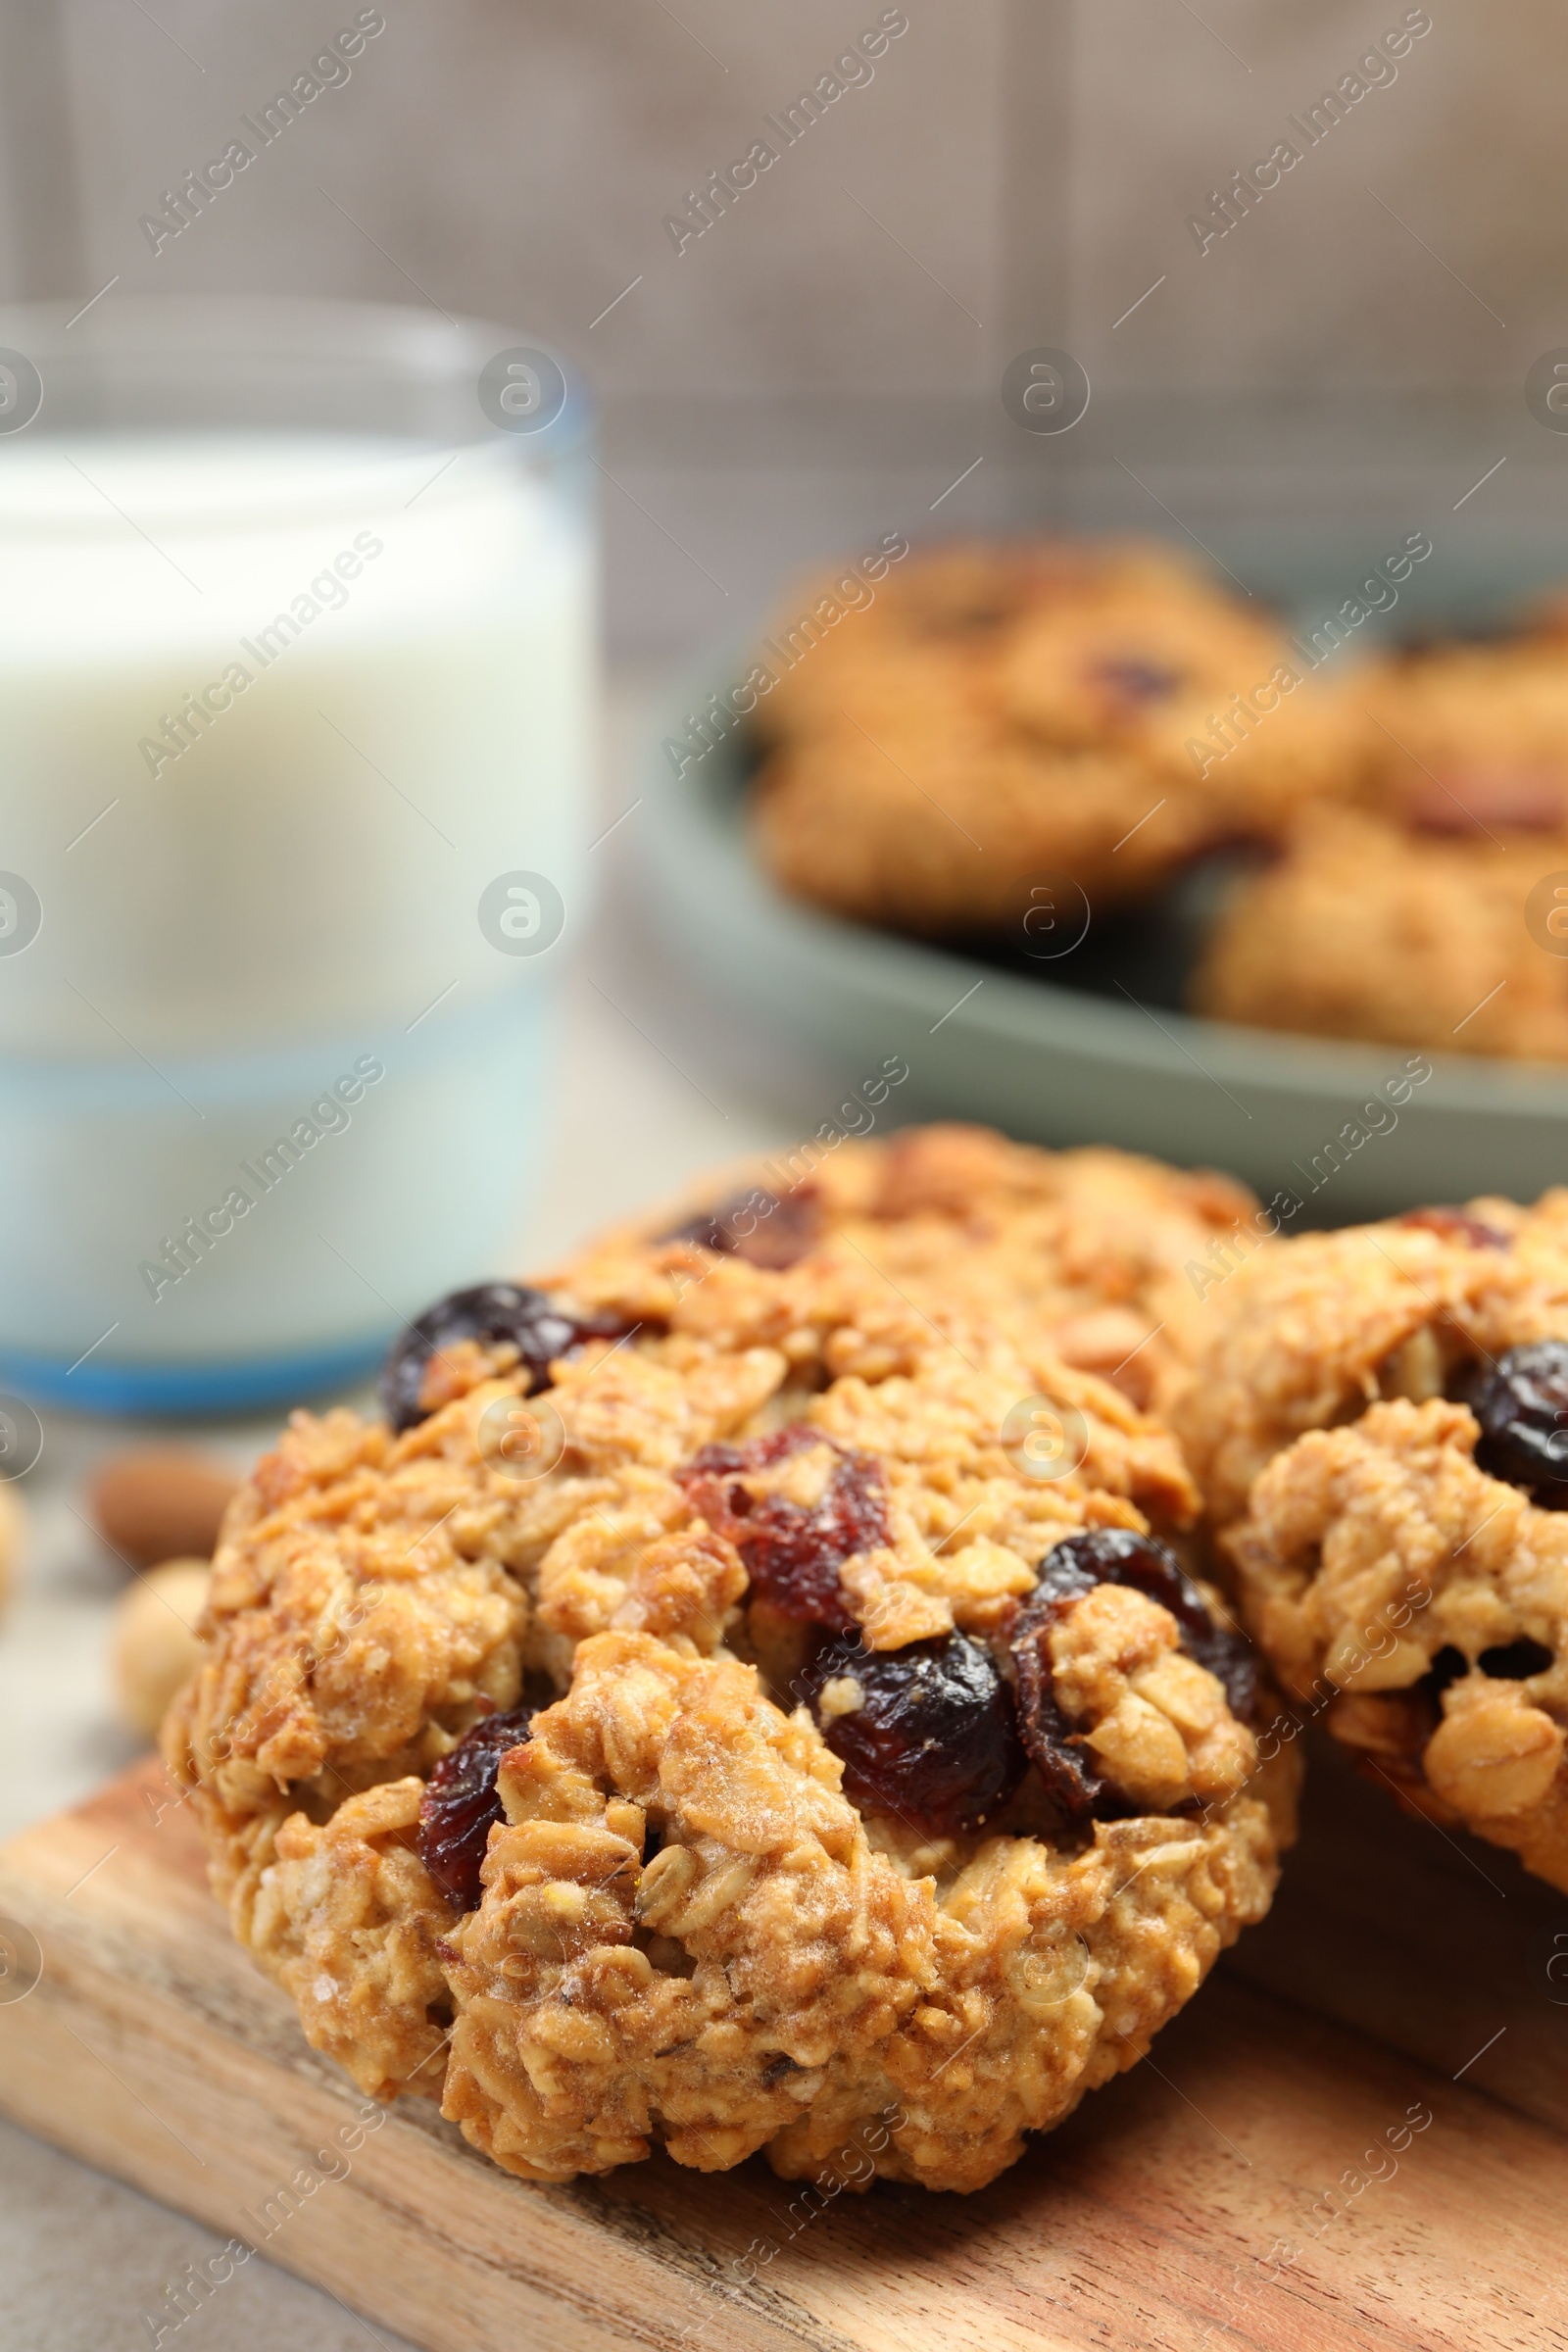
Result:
[1111,1556]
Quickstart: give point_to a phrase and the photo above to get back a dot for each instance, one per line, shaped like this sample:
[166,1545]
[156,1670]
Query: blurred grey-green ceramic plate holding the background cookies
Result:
[1108,1060]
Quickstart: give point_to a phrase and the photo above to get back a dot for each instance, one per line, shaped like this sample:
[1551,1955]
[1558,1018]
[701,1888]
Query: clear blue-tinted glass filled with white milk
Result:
[297,669]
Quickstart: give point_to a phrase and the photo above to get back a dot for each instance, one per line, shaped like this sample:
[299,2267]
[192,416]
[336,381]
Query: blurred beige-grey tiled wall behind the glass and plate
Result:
[826,361]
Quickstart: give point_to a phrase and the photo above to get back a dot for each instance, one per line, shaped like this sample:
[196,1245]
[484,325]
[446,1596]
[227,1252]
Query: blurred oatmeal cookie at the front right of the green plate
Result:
[1391,933]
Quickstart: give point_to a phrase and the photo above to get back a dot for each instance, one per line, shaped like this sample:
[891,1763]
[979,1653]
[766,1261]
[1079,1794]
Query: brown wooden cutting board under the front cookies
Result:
[1358,2137]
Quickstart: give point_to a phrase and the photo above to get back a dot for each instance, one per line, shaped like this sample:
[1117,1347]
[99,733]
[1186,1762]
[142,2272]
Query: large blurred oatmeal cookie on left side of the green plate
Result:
[1097,711]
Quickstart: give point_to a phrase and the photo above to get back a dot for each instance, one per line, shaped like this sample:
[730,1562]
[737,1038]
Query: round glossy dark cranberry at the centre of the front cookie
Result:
[937,1735]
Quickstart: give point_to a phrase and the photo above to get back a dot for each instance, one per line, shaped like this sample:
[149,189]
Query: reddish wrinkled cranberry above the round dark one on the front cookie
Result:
[791,1553]
